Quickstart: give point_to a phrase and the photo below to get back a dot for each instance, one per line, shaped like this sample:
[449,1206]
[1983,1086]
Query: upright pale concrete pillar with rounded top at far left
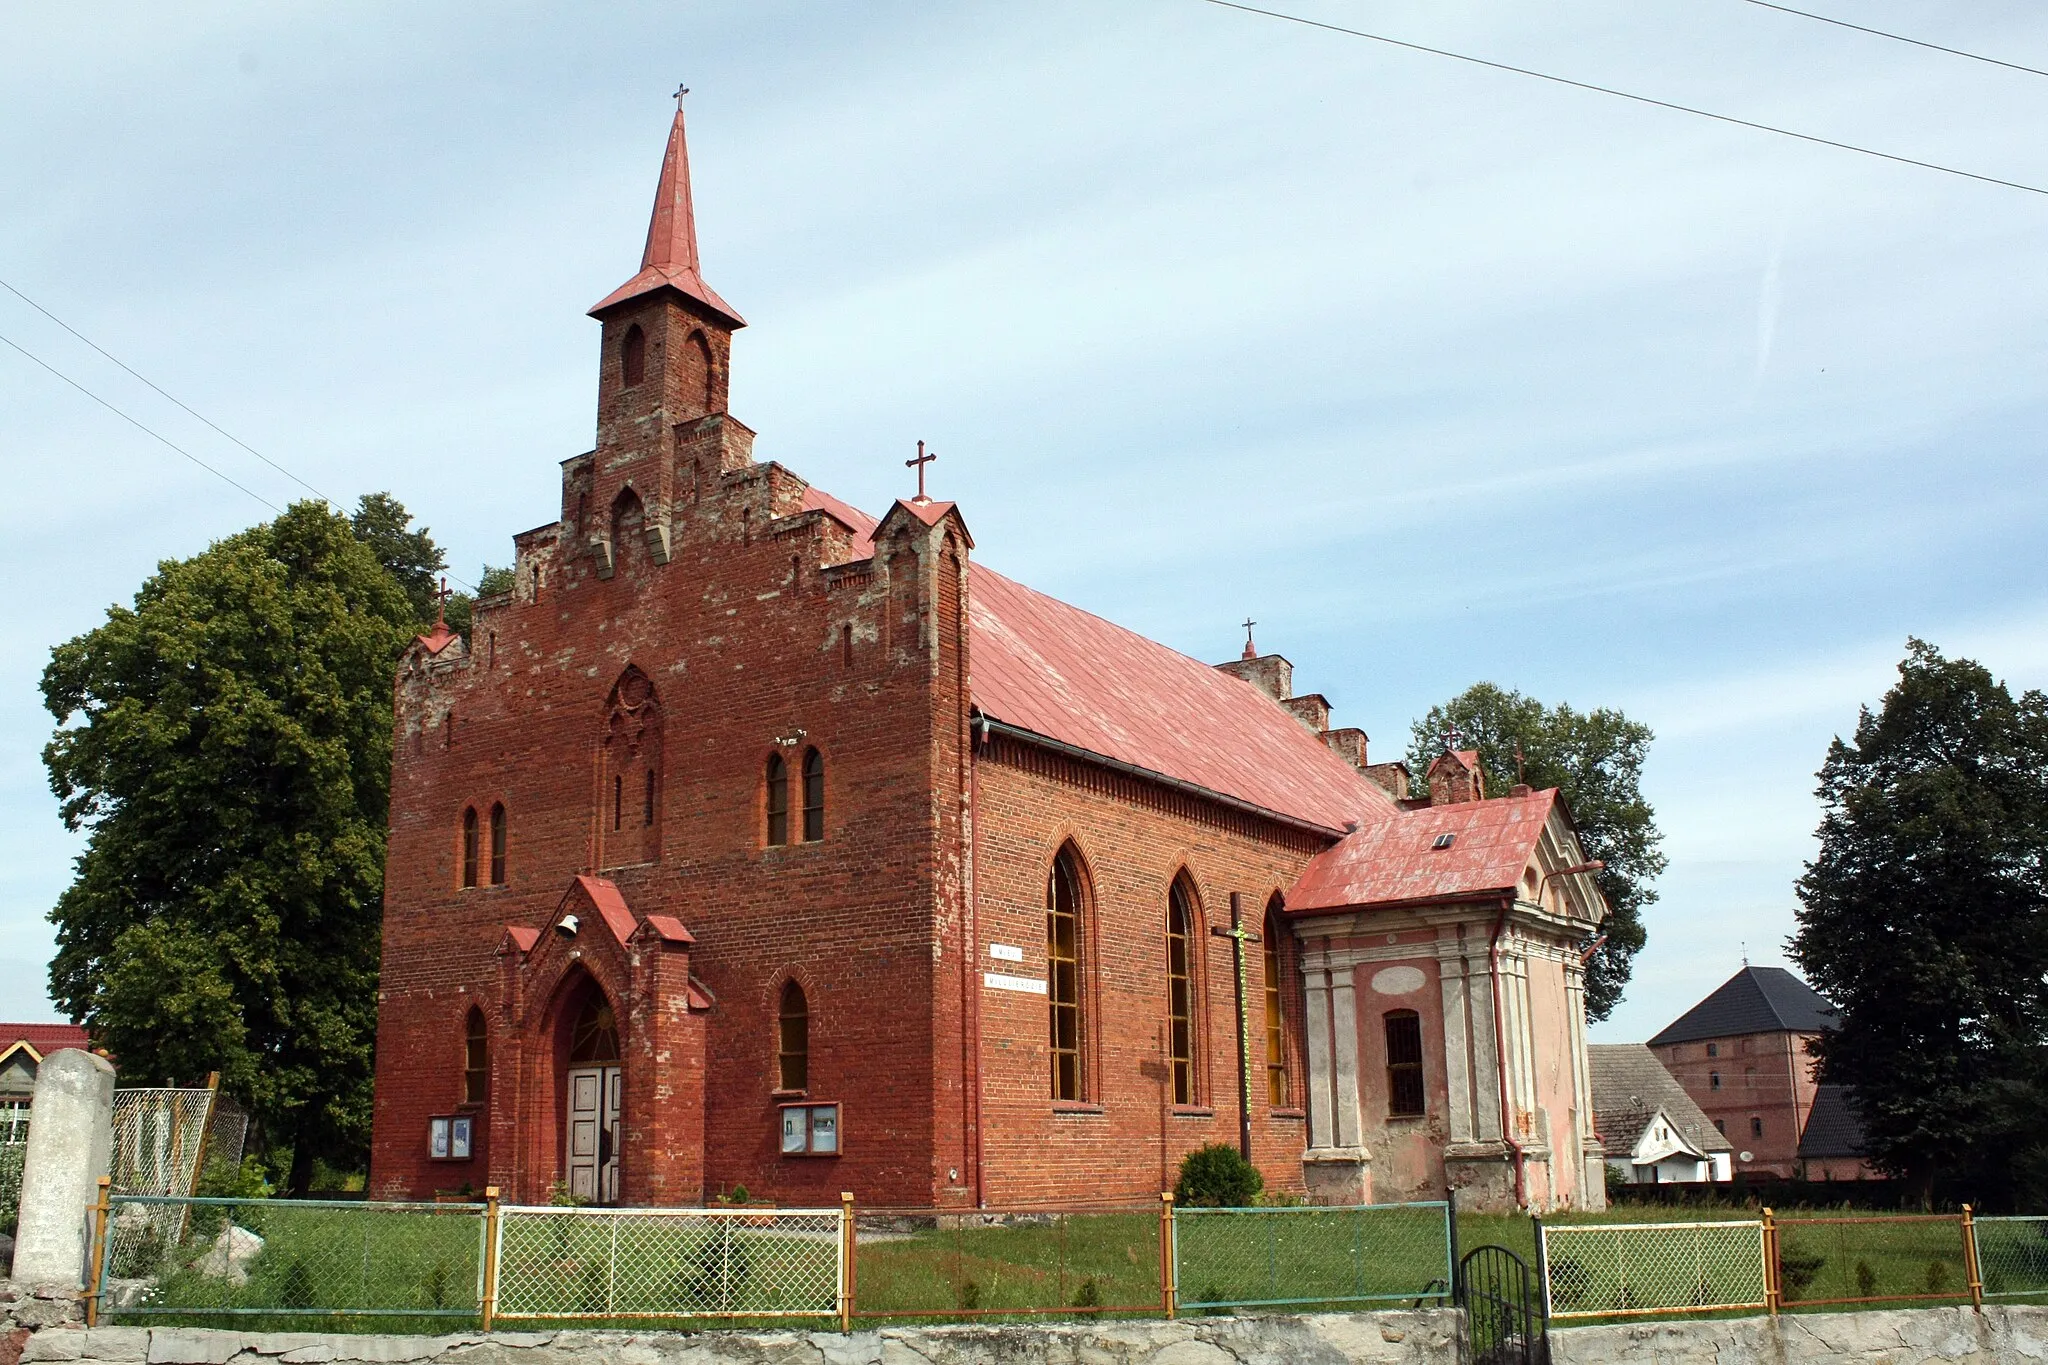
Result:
[71,1149]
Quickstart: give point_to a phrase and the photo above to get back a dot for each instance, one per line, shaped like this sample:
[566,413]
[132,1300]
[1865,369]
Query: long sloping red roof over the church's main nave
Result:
[1070,676]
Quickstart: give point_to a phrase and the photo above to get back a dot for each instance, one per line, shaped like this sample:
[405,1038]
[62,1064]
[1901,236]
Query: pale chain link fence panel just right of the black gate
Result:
[1633,1270]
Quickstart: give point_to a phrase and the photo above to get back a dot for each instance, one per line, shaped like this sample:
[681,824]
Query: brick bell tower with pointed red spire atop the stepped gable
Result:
[663,380]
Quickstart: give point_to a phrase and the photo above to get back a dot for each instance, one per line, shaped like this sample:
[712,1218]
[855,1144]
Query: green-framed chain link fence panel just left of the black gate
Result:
[1308,1258]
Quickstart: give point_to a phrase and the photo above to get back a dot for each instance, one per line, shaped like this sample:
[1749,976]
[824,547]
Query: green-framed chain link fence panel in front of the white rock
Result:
[204,1260]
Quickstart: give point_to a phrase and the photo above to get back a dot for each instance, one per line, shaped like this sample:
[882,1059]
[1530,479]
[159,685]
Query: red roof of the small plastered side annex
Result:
[1398,861]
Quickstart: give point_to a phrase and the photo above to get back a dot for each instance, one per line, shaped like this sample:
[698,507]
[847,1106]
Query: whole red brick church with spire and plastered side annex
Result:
[759,842]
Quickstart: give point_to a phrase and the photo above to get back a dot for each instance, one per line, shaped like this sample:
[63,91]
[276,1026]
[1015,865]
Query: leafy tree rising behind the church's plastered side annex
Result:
[1596,760]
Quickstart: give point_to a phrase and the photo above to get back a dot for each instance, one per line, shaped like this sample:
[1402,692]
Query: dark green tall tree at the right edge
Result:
[1926,922]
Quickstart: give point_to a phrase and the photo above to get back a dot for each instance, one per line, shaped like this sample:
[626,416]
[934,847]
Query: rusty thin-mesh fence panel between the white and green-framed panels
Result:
[1025,1262]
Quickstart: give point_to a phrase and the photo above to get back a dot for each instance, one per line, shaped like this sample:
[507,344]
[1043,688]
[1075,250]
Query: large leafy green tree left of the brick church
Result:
[226,742]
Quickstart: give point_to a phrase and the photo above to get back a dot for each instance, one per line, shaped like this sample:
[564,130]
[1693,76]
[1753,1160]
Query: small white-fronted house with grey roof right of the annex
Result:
[1654,1133]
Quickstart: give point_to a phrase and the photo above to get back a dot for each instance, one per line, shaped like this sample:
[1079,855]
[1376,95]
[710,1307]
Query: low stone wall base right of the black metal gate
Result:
[1897,1337]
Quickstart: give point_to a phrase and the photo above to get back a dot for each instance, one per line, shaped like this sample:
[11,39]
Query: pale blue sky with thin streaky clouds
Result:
[1439,373]
